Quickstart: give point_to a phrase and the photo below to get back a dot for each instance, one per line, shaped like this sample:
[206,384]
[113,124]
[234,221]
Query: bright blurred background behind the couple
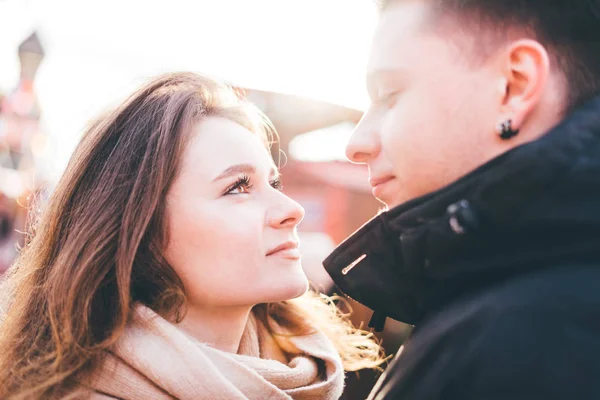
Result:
[63,62]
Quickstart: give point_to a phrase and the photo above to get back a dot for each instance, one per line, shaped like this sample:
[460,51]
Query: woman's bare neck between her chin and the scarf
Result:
[222,328]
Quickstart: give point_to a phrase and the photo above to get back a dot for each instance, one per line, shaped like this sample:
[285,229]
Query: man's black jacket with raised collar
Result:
[499,271]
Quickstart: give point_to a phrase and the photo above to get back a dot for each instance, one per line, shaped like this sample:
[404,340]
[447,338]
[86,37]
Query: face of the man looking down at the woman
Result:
[433,110]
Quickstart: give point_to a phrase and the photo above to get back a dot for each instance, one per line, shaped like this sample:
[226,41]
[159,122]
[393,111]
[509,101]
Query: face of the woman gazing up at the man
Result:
[232,232]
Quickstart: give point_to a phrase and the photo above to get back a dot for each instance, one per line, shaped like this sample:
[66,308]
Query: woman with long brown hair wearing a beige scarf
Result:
[164,265]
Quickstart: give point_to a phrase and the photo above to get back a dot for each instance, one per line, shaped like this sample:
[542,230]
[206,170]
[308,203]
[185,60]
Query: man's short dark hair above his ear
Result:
[569,29]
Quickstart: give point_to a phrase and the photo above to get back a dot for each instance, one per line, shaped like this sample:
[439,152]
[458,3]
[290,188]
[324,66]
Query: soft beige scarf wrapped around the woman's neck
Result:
[164,363]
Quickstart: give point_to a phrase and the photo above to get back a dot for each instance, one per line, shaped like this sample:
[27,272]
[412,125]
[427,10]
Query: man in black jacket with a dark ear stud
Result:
[483,139]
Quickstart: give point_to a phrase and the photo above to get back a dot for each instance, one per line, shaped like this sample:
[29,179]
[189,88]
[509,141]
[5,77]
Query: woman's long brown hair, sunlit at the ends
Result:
[96,250]
